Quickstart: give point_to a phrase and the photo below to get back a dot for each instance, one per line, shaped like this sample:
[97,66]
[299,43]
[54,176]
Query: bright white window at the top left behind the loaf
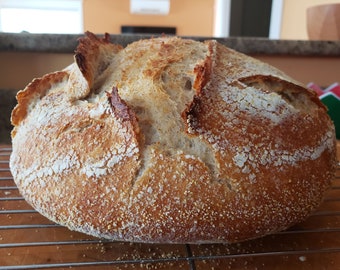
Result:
[41,16]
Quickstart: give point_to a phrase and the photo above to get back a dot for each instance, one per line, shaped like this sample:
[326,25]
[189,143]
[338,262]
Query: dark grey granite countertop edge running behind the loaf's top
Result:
[66,43]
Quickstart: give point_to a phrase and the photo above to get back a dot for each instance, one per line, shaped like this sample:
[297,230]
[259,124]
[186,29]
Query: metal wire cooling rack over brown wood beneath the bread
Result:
[30,241]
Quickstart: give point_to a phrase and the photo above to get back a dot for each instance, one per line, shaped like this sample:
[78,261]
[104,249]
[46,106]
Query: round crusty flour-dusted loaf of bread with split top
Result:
[171,140]
